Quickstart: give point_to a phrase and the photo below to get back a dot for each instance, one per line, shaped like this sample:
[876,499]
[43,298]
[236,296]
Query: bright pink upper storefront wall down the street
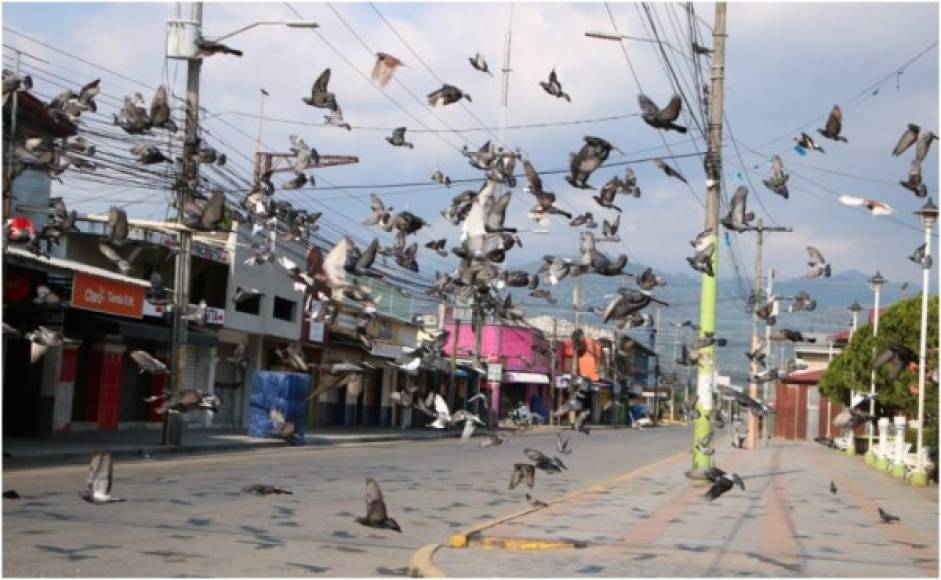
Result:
[512,344]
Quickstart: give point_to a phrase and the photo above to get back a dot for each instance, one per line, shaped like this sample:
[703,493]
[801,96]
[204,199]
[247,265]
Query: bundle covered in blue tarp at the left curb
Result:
[286,392]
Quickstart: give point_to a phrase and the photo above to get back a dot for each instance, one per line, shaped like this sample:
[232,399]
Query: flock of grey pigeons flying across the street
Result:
[479,280]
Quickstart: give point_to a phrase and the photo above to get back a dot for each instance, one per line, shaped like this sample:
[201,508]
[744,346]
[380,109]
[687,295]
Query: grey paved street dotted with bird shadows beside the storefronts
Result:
[186,516]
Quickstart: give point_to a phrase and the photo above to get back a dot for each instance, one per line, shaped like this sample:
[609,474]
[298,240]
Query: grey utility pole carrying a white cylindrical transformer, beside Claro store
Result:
[173,422]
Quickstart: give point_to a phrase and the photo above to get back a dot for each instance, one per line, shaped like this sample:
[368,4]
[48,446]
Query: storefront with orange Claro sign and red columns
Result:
[89,382]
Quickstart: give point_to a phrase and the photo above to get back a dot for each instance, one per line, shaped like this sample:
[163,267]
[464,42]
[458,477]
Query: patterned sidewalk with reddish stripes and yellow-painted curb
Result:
[654,522]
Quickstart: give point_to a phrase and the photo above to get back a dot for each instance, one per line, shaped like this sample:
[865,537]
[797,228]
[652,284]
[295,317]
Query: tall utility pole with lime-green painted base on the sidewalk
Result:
[707,312]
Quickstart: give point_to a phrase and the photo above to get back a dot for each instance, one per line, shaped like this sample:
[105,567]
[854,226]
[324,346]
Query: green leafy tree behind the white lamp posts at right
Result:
[899,325]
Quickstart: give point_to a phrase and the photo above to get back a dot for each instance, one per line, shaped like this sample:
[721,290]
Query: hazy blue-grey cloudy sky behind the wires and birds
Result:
[787,64]
